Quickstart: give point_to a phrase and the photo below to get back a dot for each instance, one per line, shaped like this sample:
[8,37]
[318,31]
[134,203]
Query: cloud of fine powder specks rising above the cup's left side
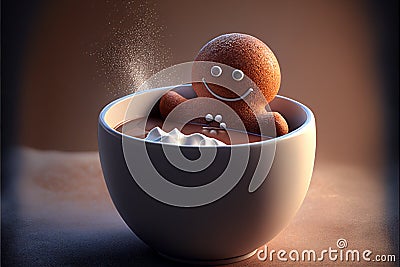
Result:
[132,49]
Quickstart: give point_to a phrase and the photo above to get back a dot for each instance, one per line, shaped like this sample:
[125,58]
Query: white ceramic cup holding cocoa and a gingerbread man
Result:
[234,226]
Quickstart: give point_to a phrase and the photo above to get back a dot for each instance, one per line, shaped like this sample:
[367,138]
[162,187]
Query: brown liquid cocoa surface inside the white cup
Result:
[141,127]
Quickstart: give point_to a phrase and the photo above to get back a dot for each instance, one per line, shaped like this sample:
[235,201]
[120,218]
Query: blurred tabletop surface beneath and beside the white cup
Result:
[57,212]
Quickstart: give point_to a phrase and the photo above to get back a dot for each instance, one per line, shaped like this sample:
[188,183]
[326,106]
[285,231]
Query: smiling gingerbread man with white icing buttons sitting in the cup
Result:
[248,56]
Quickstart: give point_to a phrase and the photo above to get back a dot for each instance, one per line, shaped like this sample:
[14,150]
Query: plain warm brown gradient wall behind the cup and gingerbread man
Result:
[325,49]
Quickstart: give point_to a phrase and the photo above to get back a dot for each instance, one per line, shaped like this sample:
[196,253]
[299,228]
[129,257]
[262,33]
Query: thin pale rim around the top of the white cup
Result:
[290,135]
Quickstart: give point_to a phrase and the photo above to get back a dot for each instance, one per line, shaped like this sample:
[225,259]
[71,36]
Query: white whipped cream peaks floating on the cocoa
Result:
[177,137]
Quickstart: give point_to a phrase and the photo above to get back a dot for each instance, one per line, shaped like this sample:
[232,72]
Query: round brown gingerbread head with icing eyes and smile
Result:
[248,56]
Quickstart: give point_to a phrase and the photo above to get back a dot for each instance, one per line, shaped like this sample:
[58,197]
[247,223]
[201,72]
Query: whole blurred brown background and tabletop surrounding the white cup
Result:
[337,57]
